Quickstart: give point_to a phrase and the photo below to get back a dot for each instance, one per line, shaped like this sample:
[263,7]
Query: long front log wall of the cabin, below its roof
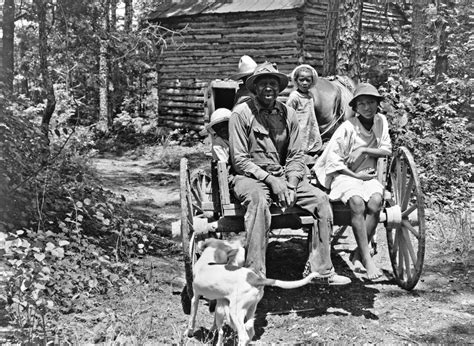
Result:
[212,47]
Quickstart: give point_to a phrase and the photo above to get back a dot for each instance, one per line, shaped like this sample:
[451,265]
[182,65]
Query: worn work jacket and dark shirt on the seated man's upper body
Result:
[265,141]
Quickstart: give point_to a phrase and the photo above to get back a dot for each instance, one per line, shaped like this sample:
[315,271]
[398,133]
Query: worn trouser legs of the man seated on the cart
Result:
[256,197]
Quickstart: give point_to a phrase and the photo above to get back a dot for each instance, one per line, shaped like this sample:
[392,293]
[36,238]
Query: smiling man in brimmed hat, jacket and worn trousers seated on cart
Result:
[268,165]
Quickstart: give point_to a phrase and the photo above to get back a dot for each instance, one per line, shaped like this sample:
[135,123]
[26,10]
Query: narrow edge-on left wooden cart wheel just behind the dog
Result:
[188,211]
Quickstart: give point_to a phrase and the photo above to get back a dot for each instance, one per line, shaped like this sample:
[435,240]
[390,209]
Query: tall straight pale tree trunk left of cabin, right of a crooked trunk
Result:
[104,117]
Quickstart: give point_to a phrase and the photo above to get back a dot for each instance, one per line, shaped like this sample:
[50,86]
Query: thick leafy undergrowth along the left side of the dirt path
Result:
[63,236]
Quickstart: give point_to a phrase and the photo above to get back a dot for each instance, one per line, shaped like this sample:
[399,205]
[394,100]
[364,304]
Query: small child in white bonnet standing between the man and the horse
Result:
[301,99]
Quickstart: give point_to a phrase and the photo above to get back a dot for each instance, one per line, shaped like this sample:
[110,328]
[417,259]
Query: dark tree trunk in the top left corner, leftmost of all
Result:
[8,27]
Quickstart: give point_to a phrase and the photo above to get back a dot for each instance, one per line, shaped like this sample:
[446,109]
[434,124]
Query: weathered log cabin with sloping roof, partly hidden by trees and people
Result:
[209,37]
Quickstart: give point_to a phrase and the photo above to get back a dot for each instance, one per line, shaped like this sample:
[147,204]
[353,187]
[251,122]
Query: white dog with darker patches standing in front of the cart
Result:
[237,290]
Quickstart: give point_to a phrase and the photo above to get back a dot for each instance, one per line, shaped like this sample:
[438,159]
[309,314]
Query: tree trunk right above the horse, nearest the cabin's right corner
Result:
[330,47]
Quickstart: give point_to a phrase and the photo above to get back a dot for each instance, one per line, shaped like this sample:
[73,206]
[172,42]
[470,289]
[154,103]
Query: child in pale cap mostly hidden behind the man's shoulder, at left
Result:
[218,130]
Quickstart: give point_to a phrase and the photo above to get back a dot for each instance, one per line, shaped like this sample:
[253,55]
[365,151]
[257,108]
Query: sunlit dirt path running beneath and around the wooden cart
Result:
[439,310]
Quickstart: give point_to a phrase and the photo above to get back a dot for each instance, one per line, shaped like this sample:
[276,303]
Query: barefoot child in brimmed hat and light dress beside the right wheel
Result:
[347,167]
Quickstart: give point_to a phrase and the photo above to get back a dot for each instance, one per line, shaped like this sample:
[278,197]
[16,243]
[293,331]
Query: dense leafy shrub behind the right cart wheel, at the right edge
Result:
[431,121]
